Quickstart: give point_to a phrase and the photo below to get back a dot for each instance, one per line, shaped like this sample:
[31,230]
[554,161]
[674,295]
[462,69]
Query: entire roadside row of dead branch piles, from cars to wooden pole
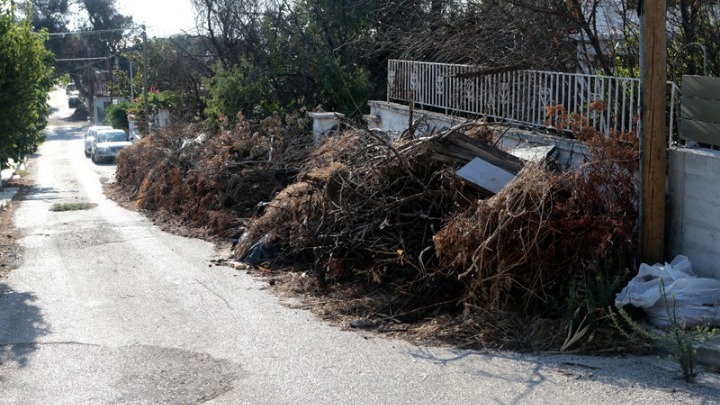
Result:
[391,223]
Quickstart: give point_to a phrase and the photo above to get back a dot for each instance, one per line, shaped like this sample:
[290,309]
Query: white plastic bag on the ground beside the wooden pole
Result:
[694,300]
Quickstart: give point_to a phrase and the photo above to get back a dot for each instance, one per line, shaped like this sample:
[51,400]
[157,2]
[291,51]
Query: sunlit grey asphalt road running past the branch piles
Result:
[108,309]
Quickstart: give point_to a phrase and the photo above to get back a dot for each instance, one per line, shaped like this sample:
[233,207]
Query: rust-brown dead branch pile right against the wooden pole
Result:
[550,242]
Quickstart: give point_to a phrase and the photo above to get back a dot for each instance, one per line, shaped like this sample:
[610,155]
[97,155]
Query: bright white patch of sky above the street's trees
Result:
[161,17]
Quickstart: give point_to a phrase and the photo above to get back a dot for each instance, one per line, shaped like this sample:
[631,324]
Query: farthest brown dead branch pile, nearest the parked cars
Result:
[212,182]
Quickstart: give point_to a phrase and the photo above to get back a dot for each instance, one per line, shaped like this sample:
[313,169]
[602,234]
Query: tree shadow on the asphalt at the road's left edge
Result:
[21,323]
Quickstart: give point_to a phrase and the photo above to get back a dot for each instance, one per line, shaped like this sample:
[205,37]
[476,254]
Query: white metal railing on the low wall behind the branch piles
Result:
[563,101]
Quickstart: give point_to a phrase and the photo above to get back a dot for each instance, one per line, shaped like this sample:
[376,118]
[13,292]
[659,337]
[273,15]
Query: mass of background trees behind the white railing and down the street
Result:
[263,56]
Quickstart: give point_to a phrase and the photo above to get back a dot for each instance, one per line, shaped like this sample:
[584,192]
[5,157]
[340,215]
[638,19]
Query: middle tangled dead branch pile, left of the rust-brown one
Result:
[365,208]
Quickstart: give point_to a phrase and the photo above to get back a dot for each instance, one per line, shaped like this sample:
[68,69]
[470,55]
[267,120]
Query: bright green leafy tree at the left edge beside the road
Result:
[25,79]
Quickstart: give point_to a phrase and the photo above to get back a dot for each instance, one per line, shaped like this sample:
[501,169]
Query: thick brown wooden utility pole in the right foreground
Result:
[653,141]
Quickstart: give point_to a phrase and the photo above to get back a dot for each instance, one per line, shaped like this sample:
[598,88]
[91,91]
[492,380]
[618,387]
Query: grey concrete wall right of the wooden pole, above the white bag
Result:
[694,208]
